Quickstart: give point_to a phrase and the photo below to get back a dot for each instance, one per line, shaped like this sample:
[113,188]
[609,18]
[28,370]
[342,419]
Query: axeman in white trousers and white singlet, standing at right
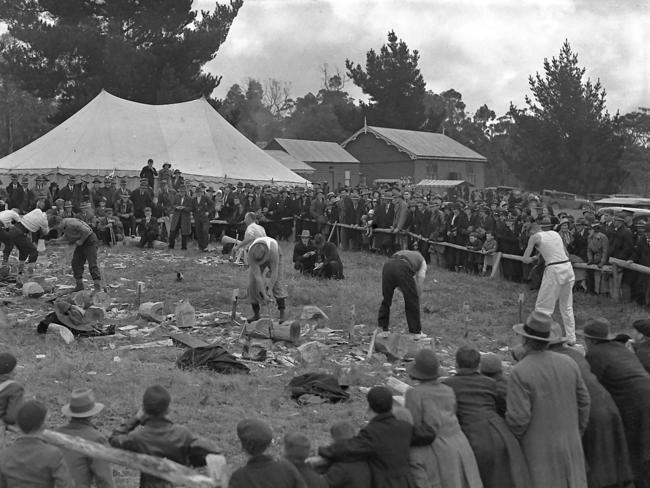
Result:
[558,279]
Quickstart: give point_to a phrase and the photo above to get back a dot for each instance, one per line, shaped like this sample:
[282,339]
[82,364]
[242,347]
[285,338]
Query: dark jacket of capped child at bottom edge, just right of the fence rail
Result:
[263,471]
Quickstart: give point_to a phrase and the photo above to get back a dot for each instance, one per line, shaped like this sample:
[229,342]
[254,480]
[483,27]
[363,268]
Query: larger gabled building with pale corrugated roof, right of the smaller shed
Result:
[397,153]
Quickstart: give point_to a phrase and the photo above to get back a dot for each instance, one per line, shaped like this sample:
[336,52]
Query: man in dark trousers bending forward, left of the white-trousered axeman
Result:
[404,270]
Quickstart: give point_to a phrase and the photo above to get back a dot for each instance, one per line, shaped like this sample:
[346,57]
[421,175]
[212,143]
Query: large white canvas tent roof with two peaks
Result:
[111,134]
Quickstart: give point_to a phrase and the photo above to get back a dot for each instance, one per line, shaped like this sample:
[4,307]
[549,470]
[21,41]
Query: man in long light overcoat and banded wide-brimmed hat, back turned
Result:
[548,408]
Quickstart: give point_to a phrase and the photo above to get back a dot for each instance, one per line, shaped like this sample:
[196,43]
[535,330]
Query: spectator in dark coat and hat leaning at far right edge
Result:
[623,376]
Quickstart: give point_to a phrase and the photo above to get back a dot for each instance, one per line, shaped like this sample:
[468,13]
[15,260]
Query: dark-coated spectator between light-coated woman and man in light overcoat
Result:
[498,454]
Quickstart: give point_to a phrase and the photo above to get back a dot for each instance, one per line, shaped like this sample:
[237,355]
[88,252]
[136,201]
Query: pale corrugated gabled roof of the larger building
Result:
[420,145]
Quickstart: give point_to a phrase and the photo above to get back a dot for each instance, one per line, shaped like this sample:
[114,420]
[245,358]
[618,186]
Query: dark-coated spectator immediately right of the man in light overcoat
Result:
[603,441]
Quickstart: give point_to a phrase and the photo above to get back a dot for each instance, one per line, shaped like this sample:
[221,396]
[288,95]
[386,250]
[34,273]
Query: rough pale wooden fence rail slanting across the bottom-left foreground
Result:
[162,468]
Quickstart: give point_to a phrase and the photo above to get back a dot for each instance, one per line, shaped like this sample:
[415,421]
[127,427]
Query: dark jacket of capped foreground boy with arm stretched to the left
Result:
[385,443]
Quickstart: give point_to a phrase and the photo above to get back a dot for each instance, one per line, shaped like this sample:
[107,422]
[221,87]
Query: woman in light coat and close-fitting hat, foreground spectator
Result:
[449,462]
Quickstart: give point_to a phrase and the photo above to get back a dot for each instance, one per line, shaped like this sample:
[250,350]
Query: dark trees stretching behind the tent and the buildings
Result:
[57,56]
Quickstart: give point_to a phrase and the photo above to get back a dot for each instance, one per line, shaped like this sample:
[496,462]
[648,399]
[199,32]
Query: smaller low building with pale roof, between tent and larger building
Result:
[331,163]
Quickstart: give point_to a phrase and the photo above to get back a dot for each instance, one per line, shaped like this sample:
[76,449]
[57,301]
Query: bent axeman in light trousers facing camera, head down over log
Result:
[264,254]
